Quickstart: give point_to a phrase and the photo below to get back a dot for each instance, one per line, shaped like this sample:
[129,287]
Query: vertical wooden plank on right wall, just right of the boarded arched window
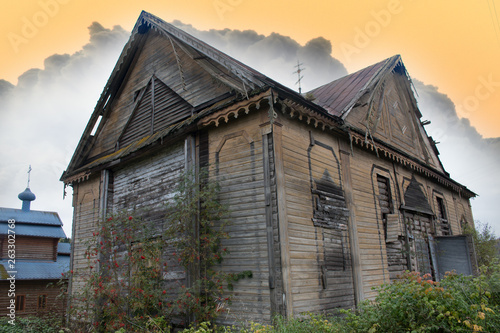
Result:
[345,163]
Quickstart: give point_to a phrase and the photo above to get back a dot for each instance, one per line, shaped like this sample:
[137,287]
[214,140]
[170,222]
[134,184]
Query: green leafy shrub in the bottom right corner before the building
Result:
[417,304]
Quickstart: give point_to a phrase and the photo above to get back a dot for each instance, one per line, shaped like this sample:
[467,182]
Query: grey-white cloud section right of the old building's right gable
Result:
[471,159]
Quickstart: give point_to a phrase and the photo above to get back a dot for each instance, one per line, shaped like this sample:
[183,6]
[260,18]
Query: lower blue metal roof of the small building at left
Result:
[36,270]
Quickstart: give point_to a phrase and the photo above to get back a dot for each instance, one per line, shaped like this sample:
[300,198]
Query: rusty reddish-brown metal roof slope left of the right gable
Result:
[337,97]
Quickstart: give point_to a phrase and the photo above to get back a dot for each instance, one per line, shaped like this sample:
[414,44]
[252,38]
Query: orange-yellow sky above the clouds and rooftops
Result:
[450,44]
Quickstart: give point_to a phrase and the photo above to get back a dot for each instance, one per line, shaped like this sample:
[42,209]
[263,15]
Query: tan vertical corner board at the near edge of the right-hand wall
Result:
[282,217]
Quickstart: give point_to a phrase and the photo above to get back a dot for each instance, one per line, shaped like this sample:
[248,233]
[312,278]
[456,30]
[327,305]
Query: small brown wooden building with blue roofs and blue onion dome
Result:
[32,260]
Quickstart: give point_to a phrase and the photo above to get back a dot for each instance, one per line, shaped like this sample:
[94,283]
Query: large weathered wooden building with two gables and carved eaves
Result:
[329,195]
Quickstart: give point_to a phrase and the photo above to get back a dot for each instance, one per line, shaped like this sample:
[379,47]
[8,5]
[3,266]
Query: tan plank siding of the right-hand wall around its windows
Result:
[380,258]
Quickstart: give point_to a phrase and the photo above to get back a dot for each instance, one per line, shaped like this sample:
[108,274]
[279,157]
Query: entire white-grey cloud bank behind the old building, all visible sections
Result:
[45,113]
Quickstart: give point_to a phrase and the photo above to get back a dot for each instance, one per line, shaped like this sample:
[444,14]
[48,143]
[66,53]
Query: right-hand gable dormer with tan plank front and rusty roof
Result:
[378,102]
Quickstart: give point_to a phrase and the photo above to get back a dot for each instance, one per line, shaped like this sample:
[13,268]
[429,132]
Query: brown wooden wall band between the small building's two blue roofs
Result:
[38,248]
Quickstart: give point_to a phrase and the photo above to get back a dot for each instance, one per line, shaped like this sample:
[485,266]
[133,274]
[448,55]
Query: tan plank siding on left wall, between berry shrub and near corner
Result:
[236,156]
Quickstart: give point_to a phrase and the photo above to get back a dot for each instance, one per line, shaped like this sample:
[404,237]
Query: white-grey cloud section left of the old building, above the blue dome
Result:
[44,115]
